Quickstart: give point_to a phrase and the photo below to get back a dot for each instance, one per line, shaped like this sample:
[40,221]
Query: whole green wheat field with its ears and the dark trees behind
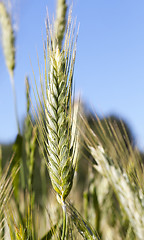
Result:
[69,174]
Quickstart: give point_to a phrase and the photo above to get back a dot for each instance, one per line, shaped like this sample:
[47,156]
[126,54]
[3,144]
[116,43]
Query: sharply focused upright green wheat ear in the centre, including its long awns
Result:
[56,119]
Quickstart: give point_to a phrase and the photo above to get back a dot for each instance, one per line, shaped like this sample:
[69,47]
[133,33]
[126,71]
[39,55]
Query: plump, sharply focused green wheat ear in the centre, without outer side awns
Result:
[61,143]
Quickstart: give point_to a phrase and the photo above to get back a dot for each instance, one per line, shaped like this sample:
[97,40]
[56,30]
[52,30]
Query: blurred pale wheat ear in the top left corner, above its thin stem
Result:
[8,39]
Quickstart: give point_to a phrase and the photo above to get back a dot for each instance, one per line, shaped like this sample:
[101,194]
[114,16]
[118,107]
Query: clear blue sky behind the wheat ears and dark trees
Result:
[109,71]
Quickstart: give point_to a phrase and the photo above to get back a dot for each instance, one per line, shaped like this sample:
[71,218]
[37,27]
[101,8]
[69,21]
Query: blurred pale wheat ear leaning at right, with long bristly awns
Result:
[114,160]
